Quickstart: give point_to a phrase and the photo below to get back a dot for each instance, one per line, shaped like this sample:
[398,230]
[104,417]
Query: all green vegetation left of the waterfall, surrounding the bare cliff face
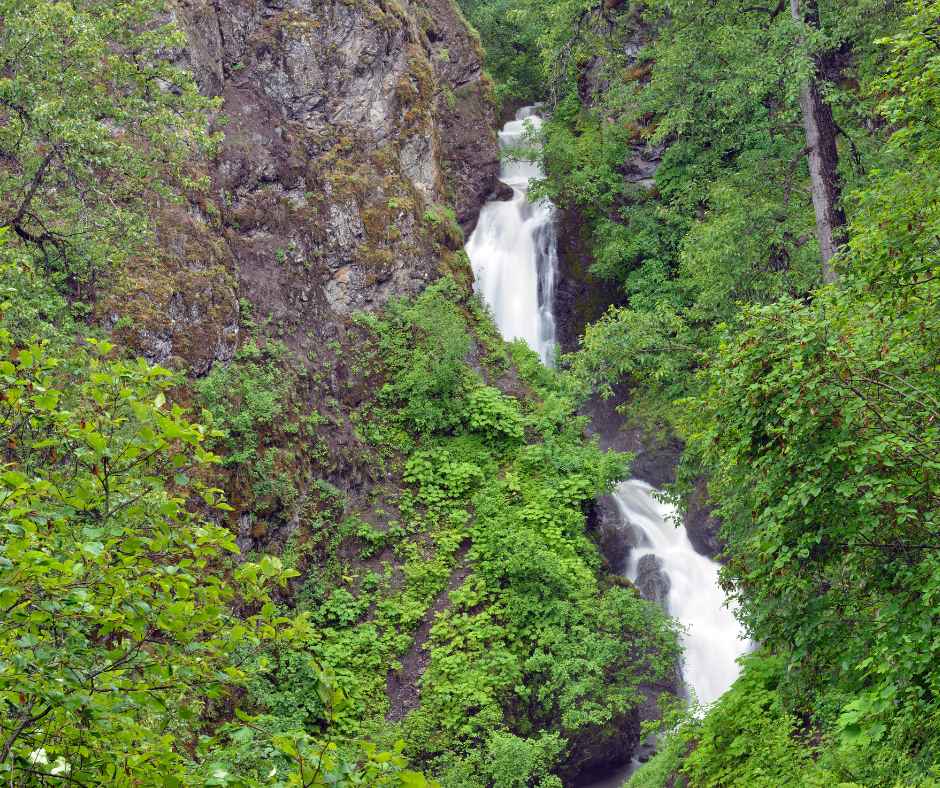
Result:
[445,607]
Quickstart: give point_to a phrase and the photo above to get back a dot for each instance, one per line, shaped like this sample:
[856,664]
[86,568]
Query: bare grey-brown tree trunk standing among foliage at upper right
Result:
[823,154]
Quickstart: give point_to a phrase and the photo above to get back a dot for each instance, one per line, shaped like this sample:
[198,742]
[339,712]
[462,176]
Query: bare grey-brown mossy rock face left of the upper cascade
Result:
[357,133]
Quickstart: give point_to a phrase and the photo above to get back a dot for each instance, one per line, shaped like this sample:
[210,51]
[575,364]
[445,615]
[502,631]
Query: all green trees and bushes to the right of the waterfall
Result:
[811,410]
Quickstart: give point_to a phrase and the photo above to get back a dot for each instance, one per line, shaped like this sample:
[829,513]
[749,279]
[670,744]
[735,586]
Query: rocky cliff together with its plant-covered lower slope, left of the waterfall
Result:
[359,147]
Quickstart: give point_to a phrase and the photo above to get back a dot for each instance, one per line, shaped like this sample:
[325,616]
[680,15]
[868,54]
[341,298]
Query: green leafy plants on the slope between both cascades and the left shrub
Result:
[490,531]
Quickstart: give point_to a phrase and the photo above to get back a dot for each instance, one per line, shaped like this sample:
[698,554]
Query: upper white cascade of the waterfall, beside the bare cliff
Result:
[513,250]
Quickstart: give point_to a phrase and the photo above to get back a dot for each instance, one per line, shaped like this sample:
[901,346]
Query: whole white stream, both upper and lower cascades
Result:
[513,253]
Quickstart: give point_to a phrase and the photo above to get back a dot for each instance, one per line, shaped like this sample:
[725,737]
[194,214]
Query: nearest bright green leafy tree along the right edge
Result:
[817,424]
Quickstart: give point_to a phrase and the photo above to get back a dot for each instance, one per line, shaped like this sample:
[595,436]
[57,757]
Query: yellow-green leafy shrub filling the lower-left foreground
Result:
[120,636]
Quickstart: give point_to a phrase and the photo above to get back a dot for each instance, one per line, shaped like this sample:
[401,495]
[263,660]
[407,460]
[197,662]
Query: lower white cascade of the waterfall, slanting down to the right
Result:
[712,639]
